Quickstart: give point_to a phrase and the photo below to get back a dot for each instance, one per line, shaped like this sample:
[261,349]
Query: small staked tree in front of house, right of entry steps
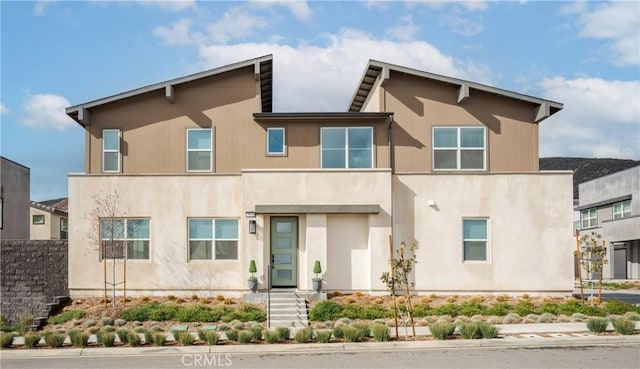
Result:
[399,280]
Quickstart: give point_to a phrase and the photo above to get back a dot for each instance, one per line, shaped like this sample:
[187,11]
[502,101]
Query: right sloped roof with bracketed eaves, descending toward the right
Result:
[379,70]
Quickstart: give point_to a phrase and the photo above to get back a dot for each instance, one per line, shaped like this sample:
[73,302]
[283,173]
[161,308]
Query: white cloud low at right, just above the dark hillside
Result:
[600,118]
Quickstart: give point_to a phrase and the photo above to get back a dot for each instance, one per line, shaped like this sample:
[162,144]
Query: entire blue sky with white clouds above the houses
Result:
[55,54]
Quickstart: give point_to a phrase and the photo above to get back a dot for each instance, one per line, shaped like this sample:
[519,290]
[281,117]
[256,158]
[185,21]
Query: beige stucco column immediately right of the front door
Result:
[316,246]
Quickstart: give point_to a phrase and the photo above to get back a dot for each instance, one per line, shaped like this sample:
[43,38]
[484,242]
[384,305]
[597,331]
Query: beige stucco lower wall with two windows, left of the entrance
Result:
[168,201]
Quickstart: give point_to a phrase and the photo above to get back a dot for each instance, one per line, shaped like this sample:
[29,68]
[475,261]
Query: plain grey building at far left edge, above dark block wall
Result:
[14,200]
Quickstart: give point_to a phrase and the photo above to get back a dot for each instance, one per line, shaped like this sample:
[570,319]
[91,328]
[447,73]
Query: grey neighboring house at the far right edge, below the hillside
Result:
[610,207]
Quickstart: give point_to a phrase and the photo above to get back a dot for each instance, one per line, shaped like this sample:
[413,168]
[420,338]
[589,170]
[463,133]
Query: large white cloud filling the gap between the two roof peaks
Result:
[323,78]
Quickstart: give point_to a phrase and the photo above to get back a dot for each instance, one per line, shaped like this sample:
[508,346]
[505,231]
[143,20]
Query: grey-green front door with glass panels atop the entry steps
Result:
[284,251]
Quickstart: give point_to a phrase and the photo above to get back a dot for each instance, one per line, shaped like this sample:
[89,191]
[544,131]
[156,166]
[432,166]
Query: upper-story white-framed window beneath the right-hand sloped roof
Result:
[459,148]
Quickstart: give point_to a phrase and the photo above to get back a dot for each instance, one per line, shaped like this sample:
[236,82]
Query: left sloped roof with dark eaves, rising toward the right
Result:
[263,68]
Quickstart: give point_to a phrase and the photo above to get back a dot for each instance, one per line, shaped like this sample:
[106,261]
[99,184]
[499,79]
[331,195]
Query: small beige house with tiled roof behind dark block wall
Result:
[49,220]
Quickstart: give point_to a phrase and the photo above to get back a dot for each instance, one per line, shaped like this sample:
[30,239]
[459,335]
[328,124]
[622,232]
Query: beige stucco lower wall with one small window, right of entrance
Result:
[530,216]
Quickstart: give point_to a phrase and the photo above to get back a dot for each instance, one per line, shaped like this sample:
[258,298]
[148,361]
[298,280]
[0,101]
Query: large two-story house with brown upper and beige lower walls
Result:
[197,177]
